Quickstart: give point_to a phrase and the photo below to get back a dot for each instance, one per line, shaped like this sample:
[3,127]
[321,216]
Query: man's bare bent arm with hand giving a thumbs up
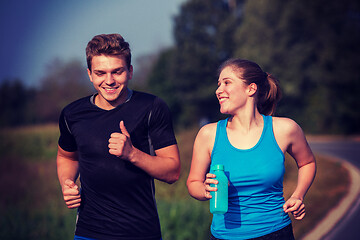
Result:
[165,166]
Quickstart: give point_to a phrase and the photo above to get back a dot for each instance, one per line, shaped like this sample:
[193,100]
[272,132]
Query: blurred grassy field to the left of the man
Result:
[31,207]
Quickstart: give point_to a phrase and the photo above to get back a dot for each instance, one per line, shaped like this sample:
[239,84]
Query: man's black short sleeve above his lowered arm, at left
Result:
[66,139]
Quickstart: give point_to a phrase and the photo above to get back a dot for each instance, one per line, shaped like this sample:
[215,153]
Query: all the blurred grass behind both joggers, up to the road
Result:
[31,205]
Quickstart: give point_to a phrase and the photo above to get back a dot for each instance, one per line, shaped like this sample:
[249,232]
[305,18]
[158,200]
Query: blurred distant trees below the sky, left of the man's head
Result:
[62,84]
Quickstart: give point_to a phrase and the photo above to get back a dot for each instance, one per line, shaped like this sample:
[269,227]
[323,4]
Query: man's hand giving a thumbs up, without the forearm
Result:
[120,143]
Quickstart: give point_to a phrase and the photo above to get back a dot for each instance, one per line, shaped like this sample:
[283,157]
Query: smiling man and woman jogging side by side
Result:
[119,140]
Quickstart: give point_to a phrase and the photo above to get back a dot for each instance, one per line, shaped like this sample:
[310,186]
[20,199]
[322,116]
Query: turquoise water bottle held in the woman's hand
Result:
[219,200]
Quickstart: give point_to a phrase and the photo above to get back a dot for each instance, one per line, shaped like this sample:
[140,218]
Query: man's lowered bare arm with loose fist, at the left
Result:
[68,172]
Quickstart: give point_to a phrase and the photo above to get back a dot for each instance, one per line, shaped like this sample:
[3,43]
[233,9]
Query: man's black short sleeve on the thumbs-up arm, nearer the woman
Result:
[160,125]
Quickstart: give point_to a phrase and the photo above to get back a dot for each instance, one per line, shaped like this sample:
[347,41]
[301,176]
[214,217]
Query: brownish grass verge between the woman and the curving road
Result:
[330,185]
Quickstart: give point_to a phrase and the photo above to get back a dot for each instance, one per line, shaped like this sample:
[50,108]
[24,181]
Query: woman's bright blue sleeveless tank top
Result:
[256,186]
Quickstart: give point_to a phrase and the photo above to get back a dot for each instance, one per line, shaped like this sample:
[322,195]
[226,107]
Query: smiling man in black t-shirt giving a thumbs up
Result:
[118,141]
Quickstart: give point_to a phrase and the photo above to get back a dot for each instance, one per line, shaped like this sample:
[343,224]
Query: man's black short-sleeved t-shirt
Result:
[117,198]
